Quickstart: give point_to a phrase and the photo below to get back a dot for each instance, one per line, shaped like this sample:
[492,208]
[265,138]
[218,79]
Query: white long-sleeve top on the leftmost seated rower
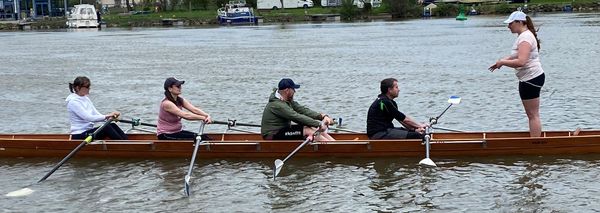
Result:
[82,113]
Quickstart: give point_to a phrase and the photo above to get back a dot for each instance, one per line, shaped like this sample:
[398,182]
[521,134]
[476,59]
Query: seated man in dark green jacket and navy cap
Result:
[282,109]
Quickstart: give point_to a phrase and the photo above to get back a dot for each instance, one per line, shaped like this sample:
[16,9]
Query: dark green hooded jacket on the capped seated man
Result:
[279,113]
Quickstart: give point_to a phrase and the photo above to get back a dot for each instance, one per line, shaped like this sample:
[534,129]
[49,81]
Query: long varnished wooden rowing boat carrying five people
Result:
[244,145]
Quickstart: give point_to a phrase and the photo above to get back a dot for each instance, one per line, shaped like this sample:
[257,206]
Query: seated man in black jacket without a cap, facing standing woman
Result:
[384,110]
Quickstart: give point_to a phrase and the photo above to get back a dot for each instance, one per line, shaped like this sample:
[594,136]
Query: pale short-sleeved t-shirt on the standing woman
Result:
[533,67]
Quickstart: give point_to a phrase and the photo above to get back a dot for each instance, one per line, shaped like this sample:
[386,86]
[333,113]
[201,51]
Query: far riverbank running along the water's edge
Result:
[207,17]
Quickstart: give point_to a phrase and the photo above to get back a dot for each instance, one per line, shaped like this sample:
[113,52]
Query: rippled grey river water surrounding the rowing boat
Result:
[230,71]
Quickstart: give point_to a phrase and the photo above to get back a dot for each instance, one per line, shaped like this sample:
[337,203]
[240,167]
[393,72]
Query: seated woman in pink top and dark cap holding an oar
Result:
[171,111]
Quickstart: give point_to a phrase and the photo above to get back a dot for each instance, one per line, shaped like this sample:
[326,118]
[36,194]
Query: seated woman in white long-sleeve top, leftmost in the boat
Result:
[83,114]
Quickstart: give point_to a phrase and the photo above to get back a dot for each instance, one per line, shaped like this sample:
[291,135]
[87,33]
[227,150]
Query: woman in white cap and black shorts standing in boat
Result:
[525,59]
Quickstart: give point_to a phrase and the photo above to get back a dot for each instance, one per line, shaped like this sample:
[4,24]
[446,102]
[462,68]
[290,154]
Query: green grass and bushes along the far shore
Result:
[203,12]
